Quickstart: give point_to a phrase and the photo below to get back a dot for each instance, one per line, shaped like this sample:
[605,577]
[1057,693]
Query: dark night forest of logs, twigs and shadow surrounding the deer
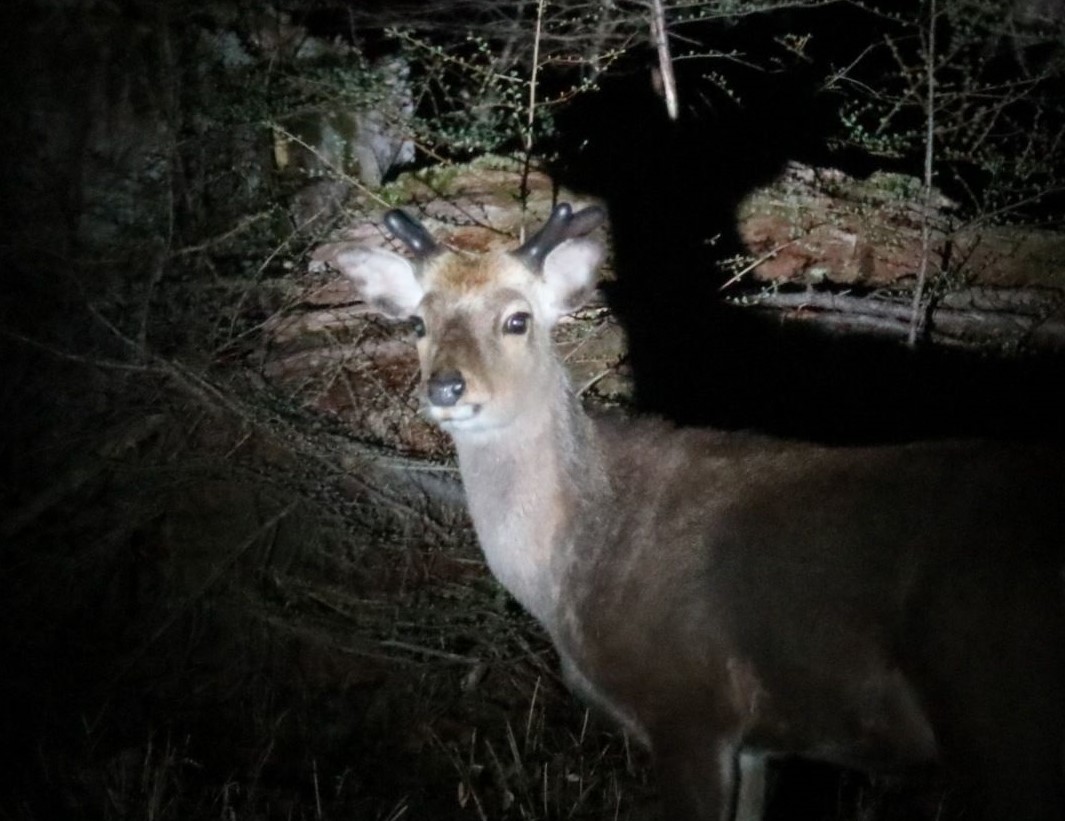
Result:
[237,578]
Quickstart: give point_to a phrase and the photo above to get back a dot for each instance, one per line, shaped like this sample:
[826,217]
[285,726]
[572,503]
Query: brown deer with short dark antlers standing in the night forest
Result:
[730,598]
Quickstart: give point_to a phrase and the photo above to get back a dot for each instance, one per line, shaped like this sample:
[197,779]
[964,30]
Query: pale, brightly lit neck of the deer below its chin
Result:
[527,486]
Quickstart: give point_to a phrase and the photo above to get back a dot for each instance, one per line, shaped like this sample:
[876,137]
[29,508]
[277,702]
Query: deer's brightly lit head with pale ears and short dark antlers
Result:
[484,322]
